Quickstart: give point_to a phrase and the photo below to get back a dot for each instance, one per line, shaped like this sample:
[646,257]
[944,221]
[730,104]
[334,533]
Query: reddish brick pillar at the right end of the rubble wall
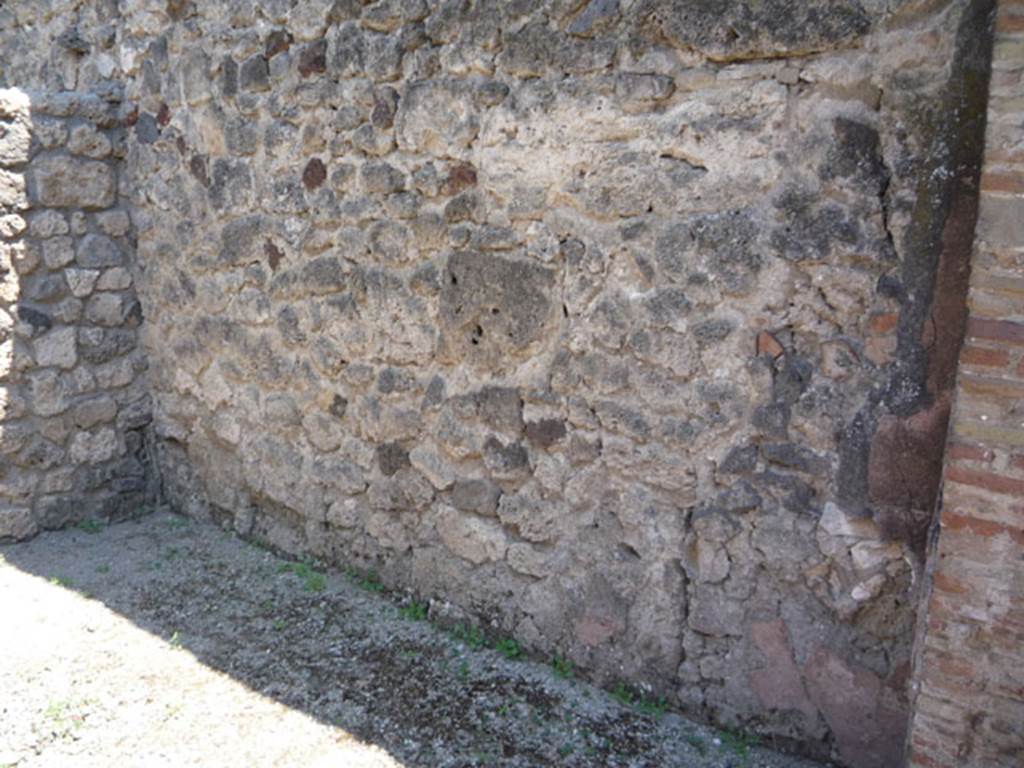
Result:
[970,668]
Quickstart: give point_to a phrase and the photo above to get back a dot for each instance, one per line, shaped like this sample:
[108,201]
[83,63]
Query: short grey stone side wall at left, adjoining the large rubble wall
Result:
[73,400]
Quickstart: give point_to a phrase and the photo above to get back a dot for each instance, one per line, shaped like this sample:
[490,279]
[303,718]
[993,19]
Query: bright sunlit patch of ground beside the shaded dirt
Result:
[82,687]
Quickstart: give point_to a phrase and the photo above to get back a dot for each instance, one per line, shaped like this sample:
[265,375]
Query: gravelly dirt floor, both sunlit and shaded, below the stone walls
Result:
[167,643]
